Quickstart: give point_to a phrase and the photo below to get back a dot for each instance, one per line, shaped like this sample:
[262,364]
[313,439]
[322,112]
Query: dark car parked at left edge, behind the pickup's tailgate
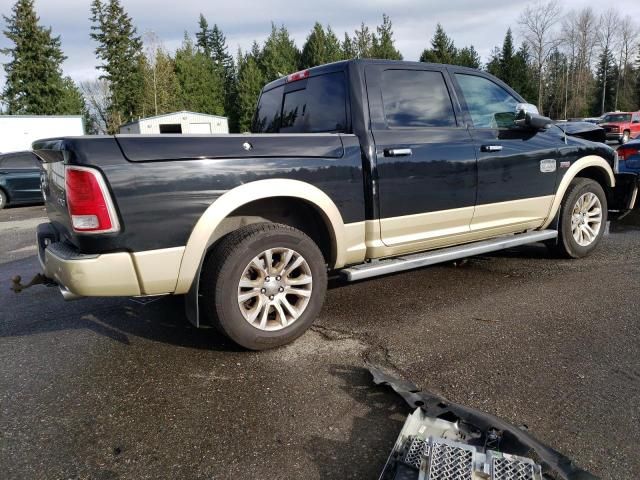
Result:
[19,179]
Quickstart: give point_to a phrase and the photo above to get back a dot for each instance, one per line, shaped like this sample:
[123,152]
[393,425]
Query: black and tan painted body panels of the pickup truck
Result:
[173,194]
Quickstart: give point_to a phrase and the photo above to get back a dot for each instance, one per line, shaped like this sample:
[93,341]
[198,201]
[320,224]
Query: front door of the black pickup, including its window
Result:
[517,168]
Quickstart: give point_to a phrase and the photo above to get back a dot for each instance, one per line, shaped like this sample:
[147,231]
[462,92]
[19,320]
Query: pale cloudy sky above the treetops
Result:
[481,23]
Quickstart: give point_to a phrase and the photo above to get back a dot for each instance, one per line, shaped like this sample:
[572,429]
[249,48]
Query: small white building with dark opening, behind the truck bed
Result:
[179,122]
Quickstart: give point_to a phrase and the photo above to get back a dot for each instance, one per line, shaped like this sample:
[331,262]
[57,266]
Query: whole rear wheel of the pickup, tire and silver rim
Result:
[263,285]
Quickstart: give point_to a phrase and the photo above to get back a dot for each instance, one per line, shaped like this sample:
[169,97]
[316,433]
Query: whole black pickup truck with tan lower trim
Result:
[361,168]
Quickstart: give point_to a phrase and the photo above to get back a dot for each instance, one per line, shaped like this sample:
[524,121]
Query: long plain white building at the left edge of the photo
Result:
[18,132]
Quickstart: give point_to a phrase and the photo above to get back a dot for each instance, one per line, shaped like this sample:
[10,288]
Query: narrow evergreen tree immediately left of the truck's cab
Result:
[249,85]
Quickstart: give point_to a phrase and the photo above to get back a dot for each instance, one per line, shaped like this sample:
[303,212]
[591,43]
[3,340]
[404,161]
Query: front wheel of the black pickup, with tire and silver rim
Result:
[583,216]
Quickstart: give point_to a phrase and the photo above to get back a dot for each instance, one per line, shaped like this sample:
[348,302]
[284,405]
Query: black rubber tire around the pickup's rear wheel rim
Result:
[225,266]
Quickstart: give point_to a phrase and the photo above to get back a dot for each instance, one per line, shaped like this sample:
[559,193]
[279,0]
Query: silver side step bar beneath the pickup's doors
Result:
[408,262]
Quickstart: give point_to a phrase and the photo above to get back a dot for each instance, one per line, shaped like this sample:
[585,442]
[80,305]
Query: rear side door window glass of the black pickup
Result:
[416,99]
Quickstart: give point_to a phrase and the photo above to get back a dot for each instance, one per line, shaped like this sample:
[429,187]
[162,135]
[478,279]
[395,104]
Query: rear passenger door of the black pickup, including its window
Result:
[425,159]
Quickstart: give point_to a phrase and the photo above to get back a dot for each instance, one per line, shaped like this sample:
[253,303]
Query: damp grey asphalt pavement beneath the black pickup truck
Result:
[114,388]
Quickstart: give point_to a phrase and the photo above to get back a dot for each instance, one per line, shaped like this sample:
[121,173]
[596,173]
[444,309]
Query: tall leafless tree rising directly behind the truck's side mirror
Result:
[538,23]
